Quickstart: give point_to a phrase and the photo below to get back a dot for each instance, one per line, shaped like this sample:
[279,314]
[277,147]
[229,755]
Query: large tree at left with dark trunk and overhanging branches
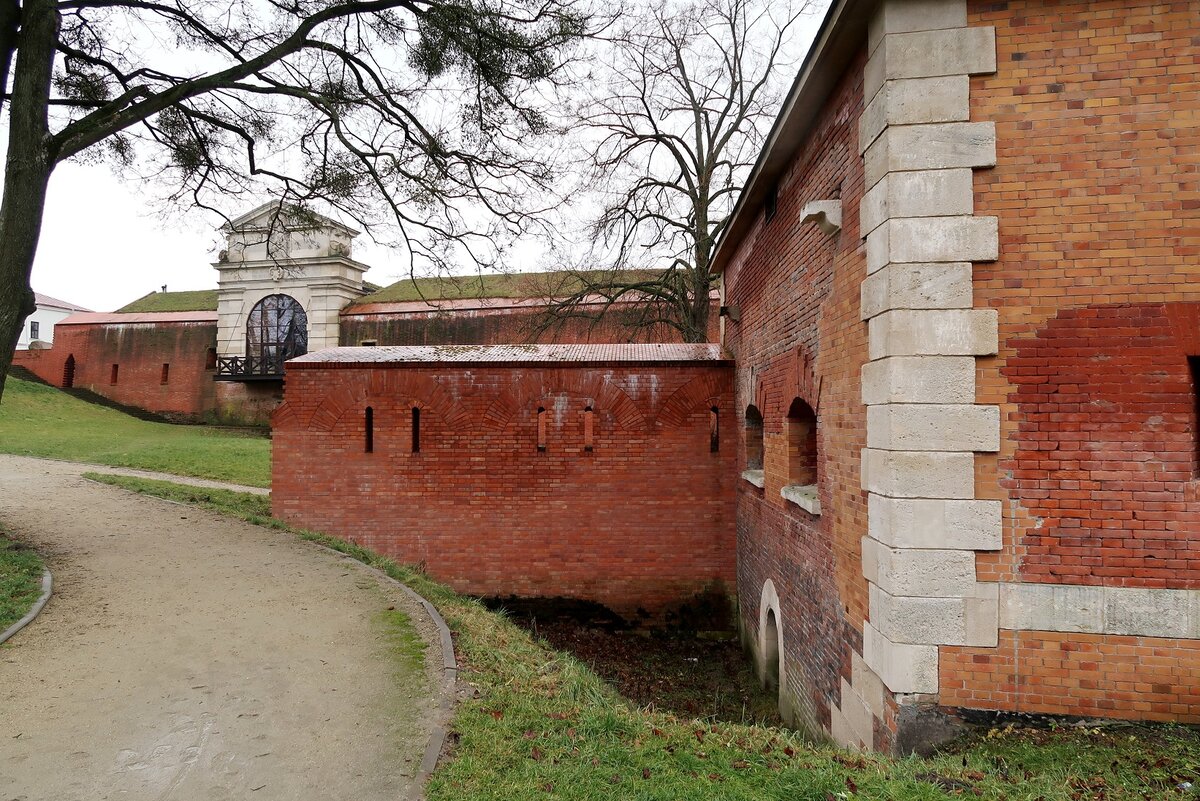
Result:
[416,107]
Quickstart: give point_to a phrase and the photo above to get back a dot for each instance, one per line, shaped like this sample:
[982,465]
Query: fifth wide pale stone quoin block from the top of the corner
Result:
[933,427]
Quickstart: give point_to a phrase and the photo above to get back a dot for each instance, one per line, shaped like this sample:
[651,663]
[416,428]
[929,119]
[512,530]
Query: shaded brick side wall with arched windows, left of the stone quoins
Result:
[801,338]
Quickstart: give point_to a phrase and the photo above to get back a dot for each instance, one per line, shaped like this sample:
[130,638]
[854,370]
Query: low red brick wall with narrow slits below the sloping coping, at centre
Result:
[640,525]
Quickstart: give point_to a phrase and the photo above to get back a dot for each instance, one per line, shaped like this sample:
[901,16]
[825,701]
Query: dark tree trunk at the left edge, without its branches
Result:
[27,172]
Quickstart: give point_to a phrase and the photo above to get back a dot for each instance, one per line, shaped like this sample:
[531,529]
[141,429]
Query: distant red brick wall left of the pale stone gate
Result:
[140,351]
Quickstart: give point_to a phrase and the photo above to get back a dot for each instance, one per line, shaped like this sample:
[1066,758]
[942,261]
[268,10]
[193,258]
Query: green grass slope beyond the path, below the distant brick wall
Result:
[39,420]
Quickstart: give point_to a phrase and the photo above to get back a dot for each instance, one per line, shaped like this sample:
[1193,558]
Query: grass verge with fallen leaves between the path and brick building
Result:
[542,726]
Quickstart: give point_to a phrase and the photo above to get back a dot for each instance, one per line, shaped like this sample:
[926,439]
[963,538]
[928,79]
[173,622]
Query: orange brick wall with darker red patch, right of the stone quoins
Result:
[1096,107]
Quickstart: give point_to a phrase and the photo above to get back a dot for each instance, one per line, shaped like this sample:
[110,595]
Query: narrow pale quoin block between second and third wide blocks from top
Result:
[920,194]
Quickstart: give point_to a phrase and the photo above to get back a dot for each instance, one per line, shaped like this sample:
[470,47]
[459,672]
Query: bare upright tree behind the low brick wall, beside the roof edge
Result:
[680,118]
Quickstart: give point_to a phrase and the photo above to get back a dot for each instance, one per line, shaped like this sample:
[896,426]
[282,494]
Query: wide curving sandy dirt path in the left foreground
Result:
[187,657]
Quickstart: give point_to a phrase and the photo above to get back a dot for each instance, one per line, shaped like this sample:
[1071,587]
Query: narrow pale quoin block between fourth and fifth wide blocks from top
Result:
[920,380]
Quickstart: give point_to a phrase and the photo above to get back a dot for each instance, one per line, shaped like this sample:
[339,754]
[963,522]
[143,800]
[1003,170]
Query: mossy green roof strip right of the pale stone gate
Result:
[521,285]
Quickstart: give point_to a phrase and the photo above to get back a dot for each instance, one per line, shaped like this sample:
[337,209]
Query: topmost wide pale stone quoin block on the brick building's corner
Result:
[931,53]
